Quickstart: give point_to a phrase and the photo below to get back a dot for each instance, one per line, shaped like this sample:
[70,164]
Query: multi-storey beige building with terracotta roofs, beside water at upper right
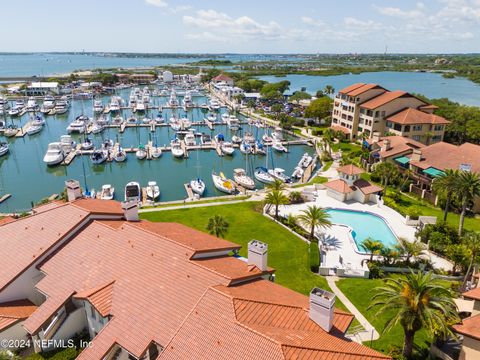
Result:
[361,109]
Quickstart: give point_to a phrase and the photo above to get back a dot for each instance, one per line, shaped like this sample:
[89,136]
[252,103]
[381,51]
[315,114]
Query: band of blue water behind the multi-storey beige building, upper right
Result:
[429,84]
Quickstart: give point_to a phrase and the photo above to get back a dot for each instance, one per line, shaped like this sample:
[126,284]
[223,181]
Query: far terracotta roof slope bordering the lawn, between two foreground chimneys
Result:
[186,236]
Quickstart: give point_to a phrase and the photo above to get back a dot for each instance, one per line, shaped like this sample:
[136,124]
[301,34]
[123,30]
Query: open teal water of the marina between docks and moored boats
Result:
[24,175]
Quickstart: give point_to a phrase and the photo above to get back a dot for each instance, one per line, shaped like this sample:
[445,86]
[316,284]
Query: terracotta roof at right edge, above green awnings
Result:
[444,156]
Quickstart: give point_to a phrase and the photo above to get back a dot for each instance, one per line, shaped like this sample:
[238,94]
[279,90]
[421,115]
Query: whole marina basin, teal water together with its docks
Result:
[23,168]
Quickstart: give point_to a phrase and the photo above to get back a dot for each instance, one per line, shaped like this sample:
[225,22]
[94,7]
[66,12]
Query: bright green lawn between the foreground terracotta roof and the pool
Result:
[287,253]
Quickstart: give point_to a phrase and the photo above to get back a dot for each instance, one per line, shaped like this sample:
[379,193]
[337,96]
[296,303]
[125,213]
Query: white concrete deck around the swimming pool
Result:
[341,250]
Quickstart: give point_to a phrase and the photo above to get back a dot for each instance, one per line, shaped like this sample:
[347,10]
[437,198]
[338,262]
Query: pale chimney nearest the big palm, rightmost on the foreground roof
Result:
[322,304]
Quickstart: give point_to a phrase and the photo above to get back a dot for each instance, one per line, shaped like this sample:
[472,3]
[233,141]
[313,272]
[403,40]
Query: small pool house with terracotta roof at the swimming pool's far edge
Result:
[349,186]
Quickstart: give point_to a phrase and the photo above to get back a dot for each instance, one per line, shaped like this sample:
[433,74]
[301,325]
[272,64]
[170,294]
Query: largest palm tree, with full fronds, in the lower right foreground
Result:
[417,301]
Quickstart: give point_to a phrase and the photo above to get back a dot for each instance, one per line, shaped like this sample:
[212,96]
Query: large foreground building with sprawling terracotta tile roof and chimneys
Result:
[146,290]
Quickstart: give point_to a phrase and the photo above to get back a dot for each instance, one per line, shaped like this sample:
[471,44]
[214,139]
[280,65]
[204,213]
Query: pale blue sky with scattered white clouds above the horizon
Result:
[247,26]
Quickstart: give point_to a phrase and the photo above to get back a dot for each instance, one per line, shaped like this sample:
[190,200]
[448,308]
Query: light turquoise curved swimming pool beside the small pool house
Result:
[364,225]
